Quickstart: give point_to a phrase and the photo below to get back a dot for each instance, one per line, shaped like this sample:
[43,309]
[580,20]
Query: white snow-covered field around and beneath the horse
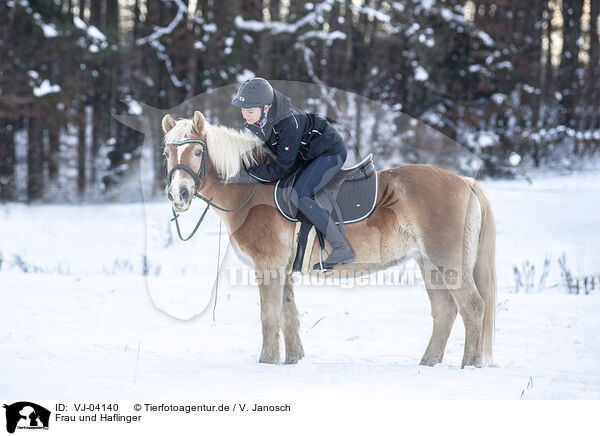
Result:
[80,320]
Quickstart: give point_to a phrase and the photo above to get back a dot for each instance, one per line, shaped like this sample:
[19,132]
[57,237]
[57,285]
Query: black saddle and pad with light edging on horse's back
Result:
[354,191]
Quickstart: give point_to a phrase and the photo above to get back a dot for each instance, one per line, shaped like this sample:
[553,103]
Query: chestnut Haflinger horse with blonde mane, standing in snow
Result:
[441,220]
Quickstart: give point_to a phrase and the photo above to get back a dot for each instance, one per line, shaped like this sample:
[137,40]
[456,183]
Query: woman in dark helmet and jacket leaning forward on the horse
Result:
[297,139]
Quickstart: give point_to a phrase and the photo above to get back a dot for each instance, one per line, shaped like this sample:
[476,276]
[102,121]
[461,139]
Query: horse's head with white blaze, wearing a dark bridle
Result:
[185,151]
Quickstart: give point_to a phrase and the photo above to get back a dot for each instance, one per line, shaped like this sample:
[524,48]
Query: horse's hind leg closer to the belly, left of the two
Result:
[443,311]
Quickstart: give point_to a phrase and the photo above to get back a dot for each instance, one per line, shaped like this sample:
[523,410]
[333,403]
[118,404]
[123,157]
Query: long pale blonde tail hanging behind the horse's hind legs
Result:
[484,273]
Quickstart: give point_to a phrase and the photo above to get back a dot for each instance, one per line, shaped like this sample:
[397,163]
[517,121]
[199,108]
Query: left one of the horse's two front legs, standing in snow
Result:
[270,285]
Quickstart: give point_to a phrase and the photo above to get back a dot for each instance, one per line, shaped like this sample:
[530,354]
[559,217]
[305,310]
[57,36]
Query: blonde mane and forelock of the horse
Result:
[229,150]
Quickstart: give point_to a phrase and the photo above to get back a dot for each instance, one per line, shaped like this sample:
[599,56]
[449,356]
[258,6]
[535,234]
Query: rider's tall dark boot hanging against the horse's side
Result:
[342,252]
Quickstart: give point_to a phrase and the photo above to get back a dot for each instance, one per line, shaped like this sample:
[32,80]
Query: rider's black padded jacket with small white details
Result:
[294,137]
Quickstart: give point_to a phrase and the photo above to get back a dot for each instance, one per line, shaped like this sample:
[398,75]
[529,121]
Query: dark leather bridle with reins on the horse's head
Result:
[198,177]
